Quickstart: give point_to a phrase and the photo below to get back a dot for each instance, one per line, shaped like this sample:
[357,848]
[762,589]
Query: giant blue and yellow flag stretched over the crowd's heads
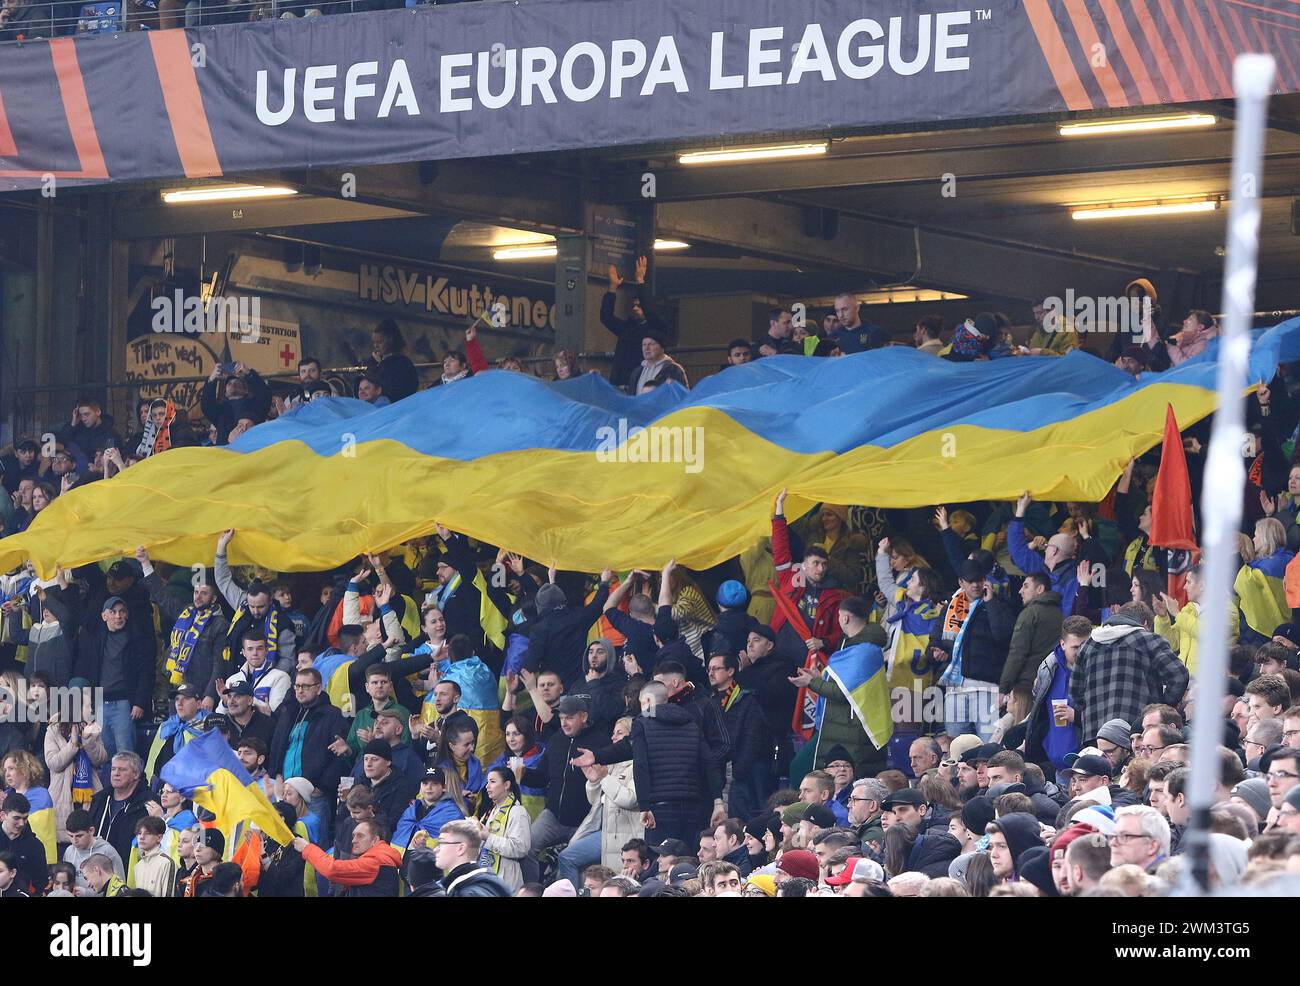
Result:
[558,472]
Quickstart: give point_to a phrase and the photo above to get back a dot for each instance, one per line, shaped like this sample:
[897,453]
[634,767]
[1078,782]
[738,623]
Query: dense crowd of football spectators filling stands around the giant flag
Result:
[450,719]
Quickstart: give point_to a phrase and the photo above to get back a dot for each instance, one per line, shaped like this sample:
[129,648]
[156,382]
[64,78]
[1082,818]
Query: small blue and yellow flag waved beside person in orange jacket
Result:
[210,775]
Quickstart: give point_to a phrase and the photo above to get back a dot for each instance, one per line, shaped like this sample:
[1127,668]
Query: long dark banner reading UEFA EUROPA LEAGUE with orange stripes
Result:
[492,79]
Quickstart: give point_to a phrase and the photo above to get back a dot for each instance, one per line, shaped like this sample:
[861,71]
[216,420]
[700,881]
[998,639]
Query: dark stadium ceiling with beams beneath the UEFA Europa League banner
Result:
[976,210]
